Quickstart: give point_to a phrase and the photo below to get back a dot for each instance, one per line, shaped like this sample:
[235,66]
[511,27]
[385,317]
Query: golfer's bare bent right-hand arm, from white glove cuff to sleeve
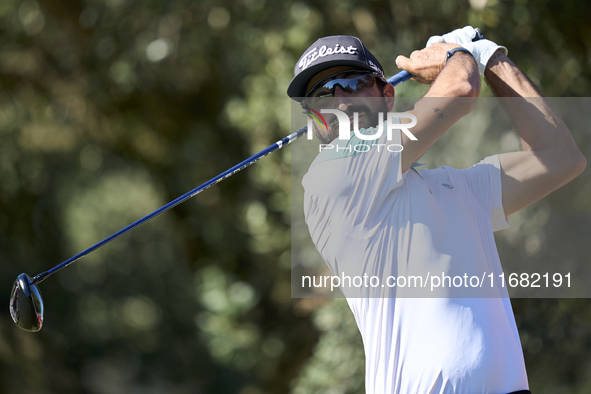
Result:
[549,157]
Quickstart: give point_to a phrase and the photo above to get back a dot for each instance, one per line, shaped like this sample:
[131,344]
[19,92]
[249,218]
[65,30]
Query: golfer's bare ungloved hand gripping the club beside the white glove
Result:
[427,63]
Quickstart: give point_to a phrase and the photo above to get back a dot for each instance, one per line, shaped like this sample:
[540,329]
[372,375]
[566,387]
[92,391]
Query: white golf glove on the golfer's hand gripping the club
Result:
[482,50]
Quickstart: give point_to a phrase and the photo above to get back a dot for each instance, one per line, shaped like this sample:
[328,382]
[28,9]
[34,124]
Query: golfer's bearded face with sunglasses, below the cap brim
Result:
[350,91]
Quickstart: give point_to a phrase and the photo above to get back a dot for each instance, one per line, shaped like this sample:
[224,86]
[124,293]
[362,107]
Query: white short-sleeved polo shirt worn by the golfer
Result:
[367,218]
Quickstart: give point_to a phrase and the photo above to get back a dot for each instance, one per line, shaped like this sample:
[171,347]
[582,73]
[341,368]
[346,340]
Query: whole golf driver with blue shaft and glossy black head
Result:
[26,303]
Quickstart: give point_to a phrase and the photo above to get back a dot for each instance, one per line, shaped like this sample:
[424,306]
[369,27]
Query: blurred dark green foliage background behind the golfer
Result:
[110,109]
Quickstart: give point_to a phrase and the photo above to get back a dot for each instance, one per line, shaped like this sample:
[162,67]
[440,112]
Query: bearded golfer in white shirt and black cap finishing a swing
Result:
[371,211]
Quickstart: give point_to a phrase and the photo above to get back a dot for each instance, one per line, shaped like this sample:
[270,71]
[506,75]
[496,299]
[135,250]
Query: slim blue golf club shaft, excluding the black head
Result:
[396,79]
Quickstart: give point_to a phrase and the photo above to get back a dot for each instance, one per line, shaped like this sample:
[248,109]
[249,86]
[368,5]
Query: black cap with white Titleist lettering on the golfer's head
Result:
[329,52]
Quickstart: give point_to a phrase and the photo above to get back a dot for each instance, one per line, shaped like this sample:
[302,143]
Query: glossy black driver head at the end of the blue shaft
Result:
[26,304]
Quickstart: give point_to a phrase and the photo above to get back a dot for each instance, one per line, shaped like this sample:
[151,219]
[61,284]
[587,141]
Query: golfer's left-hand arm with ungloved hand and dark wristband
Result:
[455,85]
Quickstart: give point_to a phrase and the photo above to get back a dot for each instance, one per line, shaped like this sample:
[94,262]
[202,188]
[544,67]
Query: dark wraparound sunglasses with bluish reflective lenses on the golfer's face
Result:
[323,91]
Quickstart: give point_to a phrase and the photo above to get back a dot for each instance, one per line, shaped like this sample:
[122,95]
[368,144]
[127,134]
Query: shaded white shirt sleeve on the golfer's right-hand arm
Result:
[484,180]
